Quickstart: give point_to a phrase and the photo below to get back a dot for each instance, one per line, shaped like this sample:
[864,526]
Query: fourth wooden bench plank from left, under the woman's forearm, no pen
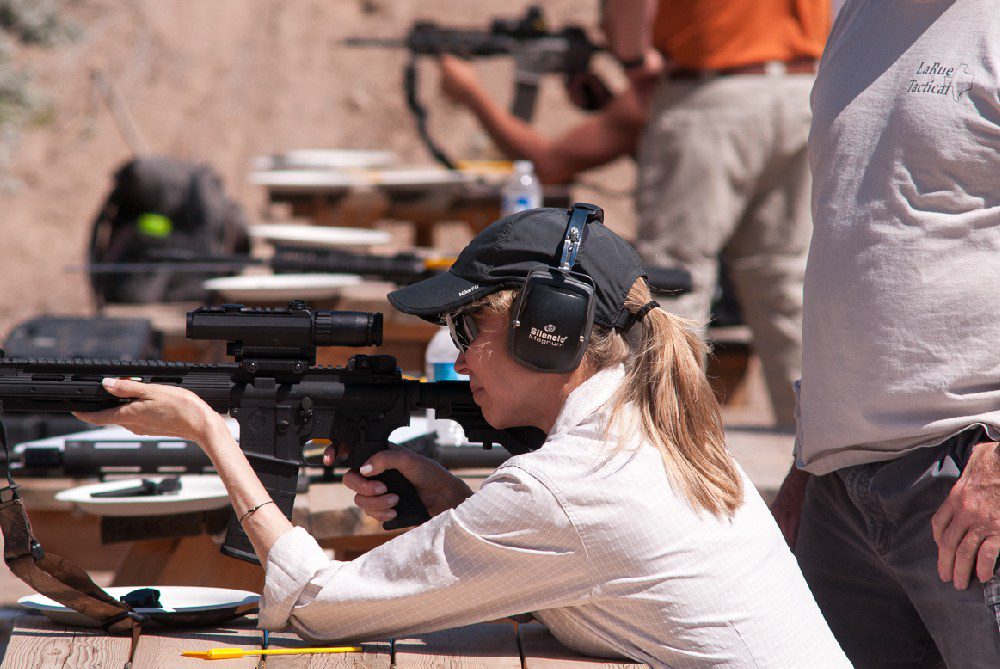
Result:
[484,646]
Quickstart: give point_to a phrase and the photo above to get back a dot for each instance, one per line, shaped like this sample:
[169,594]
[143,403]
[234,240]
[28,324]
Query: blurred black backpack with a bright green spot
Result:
[163,208]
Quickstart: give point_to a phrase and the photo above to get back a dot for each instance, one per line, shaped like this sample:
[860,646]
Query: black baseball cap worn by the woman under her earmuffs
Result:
[502,255]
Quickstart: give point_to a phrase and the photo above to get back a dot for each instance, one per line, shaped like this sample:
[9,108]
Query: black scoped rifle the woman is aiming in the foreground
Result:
[279,396]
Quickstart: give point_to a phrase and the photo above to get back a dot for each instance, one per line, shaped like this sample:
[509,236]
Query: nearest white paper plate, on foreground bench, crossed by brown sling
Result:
[175,600]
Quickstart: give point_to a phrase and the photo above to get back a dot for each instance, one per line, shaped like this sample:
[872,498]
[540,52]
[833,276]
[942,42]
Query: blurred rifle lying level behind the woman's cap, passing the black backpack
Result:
[401,268]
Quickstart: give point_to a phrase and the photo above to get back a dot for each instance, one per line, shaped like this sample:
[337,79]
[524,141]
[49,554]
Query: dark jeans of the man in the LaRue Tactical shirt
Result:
[866,549]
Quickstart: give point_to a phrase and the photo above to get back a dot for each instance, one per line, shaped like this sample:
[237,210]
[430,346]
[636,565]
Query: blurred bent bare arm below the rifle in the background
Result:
[599,139]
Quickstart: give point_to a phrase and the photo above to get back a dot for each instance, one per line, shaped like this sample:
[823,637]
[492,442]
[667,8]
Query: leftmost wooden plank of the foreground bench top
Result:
[36,642]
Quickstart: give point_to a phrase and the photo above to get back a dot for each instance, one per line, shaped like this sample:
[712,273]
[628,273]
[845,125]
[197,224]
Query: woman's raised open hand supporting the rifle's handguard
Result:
[155,410]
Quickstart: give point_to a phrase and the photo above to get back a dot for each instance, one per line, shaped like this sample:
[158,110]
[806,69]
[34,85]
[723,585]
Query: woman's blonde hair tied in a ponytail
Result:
[674,406]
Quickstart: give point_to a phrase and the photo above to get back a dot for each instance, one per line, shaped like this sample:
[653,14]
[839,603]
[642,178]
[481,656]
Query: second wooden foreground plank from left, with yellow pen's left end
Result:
[161,647]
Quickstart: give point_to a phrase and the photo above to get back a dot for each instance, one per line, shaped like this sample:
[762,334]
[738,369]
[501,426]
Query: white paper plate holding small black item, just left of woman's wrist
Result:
[199,492]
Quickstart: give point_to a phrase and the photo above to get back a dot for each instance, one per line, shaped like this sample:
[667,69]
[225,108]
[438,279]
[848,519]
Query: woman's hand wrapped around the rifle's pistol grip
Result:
[438,488]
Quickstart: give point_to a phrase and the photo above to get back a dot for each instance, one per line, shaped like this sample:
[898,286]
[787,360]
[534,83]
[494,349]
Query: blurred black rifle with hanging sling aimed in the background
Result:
[536,51]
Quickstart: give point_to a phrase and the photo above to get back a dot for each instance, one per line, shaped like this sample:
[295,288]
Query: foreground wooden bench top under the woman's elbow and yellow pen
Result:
[37,643]
